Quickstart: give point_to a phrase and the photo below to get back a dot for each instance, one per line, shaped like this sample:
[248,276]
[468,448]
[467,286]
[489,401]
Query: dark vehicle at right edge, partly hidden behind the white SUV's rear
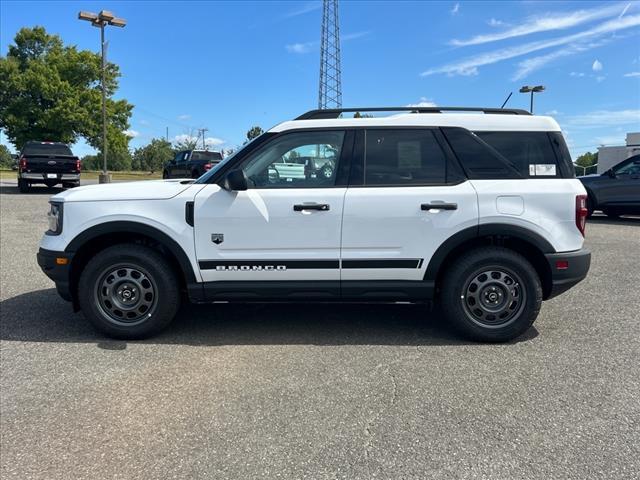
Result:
[617,191]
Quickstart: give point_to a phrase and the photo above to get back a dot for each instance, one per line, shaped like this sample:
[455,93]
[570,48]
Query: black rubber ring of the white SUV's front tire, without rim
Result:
[168,298]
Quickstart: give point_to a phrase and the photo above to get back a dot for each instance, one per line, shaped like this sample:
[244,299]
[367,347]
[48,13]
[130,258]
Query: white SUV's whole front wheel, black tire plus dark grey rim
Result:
[133,269]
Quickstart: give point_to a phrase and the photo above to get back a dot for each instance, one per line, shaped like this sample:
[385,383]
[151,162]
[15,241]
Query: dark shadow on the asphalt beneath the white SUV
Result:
[41,316]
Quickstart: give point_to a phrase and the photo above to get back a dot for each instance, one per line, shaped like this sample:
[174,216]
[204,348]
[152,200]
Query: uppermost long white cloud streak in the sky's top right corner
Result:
[550,21]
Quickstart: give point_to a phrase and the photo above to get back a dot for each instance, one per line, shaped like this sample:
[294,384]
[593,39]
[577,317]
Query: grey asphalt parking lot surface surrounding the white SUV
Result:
[318,391]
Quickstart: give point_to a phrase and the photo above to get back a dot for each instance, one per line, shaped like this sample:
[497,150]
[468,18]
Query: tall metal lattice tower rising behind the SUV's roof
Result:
[330,91]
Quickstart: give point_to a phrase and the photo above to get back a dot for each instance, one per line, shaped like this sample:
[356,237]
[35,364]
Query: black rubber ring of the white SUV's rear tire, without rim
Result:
[456,280]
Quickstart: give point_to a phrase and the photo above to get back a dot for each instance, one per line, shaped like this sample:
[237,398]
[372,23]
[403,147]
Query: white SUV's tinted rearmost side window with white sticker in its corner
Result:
[530,152]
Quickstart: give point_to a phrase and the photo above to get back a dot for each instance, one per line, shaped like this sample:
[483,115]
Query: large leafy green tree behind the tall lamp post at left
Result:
[49,91]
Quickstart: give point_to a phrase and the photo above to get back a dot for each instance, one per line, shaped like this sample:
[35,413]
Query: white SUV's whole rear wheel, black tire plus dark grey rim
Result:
[495,306]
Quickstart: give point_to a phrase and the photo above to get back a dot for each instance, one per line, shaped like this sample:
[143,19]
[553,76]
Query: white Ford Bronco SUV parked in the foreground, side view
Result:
[477,209]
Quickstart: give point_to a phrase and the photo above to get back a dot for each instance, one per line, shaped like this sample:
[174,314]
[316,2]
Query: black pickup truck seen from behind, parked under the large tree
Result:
[48,163]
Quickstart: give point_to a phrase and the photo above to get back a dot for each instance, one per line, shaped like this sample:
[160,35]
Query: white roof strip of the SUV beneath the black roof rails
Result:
[470,121]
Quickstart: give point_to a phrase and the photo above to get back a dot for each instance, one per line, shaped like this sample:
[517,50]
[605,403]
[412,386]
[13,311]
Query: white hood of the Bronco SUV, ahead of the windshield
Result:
[142,190]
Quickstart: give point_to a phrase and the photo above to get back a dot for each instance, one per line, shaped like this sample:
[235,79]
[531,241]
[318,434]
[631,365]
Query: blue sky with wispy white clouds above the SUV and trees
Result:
[227,66]
